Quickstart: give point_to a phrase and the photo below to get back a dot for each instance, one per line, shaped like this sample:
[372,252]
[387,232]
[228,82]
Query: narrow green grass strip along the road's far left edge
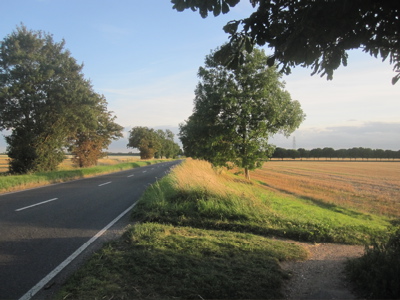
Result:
[15,182]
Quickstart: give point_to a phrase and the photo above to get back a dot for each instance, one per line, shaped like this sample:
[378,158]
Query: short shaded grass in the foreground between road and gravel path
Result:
[155,261]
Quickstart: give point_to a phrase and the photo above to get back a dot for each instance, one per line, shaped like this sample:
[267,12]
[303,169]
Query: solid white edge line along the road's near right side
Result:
[28,295]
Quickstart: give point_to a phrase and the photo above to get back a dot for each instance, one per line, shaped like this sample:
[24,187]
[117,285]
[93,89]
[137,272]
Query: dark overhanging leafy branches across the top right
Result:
[309,33]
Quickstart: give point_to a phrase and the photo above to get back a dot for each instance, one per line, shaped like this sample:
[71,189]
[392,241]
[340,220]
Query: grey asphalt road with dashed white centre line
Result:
[44,227]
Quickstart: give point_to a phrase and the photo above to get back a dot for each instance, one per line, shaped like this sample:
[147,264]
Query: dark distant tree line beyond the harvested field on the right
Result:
[330,153]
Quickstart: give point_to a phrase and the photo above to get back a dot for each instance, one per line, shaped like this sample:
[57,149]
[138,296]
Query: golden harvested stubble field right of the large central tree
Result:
[372,187]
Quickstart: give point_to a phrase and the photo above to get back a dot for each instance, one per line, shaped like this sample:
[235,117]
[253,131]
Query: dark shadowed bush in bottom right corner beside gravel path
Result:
[377,272]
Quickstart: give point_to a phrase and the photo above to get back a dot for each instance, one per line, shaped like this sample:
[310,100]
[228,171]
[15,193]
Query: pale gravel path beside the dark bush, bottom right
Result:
[321,276]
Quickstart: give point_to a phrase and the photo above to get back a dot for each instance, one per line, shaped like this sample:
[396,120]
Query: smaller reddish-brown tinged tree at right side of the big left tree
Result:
[88,143]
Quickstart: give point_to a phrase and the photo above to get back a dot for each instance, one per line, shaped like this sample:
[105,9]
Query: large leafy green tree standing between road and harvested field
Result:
[236,111]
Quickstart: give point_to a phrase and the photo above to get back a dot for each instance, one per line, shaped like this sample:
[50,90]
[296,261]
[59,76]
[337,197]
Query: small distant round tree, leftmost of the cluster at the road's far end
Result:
[146,140]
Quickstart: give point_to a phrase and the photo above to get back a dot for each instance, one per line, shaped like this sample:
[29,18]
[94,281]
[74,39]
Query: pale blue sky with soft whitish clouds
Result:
[143,56]
